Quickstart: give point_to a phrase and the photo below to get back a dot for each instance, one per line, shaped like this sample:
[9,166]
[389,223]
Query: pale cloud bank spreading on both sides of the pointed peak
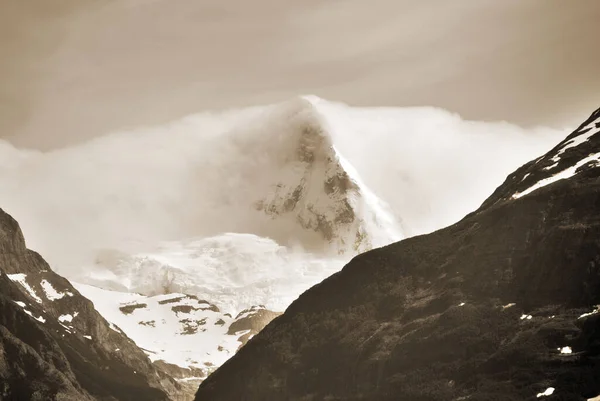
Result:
[197,177]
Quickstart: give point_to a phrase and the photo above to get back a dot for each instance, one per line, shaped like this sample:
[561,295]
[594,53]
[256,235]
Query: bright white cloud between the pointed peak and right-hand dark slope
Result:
[430,165]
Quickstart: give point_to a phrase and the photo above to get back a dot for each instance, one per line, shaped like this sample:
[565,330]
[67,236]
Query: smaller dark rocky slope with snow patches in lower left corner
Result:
[53,343]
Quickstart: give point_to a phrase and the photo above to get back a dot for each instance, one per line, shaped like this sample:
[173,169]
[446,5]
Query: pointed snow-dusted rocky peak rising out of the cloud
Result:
[318,188]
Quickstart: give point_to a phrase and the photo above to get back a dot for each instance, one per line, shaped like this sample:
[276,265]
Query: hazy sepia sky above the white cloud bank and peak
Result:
[74,69]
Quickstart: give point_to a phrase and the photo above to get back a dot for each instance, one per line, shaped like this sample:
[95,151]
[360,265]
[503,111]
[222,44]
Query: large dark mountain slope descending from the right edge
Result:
[479,311]
